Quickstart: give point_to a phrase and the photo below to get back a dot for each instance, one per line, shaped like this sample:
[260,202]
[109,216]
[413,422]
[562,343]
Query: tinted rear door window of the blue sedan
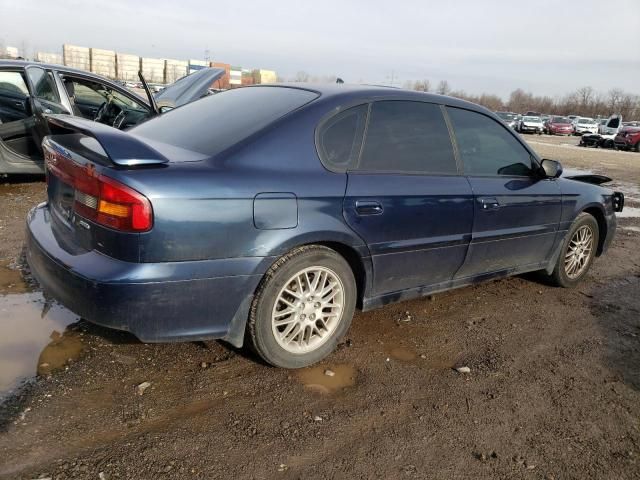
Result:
[407,137]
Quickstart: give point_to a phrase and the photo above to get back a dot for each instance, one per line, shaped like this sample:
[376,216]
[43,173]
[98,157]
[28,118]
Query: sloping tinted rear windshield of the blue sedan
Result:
[215,123]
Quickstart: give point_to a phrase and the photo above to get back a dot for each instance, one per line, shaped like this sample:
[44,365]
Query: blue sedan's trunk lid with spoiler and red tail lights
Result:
[90,209]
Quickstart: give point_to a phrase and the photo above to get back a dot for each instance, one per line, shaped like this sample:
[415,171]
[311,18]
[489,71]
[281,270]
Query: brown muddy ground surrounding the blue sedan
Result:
[553,392]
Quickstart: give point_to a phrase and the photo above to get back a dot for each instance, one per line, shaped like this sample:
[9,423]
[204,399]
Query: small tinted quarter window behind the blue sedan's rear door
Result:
[340,138]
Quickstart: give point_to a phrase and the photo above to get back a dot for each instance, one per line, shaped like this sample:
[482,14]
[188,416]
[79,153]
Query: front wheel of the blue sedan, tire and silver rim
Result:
[577,252]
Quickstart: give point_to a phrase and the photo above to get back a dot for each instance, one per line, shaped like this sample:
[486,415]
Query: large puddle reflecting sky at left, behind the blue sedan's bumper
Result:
[32,337]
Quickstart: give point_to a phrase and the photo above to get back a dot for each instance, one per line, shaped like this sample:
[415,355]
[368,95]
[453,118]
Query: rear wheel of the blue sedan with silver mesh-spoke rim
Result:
[303,306]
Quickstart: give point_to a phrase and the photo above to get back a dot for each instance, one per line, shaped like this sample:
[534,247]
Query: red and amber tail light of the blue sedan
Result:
[100,198]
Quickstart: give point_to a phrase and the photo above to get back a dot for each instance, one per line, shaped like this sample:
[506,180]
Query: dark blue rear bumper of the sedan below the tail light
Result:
[157,302]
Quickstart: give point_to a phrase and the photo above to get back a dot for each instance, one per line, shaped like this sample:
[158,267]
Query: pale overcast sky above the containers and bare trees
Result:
[493,46]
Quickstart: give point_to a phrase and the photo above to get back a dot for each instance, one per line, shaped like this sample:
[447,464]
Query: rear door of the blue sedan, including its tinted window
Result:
[406,199]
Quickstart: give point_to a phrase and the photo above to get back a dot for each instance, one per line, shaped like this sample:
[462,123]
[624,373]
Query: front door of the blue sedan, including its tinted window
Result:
[516,213]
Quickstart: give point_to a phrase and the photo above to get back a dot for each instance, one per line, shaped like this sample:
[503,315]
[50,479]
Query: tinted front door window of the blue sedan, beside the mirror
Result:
[486,147]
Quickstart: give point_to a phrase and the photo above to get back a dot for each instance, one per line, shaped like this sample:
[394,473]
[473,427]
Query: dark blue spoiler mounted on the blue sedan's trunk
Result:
[122,148]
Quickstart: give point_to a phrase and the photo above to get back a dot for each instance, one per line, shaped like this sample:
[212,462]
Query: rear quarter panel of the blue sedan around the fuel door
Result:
[205,210]
